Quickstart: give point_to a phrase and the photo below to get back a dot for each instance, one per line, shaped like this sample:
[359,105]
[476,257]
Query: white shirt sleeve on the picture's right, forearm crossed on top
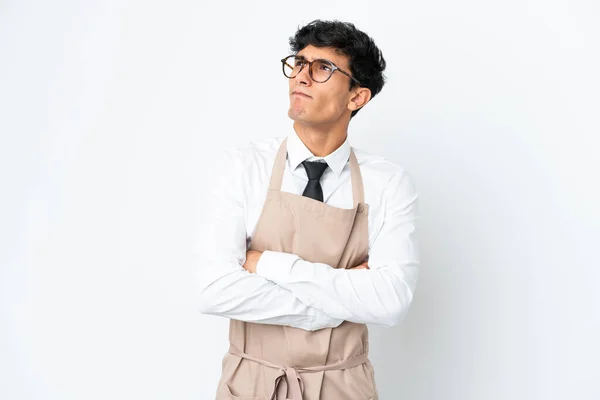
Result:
[380,295]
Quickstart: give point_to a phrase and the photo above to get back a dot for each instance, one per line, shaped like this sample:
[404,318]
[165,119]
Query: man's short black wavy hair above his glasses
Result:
[366,60]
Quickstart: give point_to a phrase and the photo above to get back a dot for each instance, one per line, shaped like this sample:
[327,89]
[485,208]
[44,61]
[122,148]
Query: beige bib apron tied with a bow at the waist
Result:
[274,362]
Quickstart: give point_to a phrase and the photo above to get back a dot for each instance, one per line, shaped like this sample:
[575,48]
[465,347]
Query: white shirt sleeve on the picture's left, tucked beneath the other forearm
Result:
[224,287]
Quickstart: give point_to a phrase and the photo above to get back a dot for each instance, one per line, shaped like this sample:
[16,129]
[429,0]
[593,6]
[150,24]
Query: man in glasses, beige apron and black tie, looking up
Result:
[309,238]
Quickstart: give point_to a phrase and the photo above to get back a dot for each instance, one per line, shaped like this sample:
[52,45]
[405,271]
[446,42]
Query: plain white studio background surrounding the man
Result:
[109,112]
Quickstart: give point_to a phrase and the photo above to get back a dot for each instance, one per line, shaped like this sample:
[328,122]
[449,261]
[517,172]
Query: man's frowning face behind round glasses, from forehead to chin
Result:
[314,103]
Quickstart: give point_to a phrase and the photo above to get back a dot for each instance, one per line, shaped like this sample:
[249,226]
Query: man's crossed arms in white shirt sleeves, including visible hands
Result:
[281,288]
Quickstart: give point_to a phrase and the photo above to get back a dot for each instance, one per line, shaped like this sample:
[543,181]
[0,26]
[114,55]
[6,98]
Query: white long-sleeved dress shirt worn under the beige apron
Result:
[286,290]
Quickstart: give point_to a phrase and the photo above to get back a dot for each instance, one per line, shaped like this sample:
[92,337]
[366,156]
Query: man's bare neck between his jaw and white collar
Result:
[321,141]
